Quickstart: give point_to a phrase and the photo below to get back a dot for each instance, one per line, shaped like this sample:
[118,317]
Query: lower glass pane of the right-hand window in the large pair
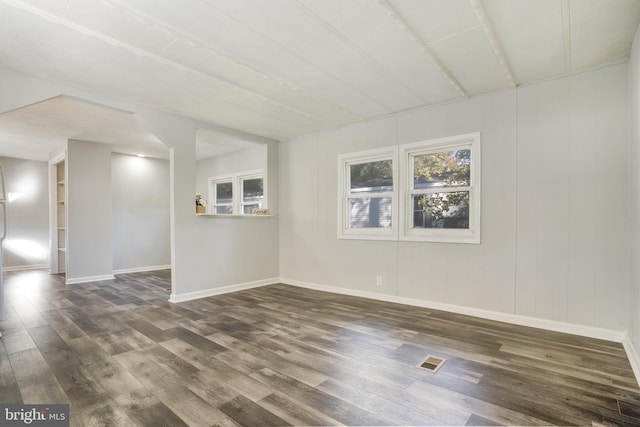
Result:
[441,210]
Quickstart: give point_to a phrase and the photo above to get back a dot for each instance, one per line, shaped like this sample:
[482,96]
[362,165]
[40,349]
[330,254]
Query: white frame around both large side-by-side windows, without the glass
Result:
[401,196]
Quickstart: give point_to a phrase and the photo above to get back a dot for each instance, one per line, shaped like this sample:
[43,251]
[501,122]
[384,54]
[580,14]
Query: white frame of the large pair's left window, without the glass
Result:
[344,195]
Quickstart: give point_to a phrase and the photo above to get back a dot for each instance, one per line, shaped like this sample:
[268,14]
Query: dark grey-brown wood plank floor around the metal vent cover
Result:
[120,354]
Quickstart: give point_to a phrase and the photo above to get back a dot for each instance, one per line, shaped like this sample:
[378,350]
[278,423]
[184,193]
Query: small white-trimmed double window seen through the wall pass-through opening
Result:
[238,194]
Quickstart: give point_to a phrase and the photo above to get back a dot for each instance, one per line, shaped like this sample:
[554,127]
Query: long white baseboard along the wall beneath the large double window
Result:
[551,325]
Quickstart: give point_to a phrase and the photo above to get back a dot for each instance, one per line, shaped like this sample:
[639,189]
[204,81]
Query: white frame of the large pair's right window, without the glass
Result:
[469,141]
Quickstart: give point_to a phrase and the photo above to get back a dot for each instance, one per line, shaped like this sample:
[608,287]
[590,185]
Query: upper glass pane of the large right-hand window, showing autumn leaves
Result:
[444,169]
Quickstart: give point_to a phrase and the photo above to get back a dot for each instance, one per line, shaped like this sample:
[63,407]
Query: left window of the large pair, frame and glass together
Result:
[368,195]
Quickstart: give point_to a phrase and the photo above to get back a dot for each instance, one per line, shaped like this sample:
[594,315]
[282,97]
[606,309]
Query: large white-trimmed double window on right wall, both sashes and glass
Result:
[436,199]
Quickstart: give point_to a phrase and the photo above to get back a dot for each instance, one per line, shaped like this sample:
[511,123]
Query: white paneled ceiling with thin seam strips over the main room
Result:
[284,68]
